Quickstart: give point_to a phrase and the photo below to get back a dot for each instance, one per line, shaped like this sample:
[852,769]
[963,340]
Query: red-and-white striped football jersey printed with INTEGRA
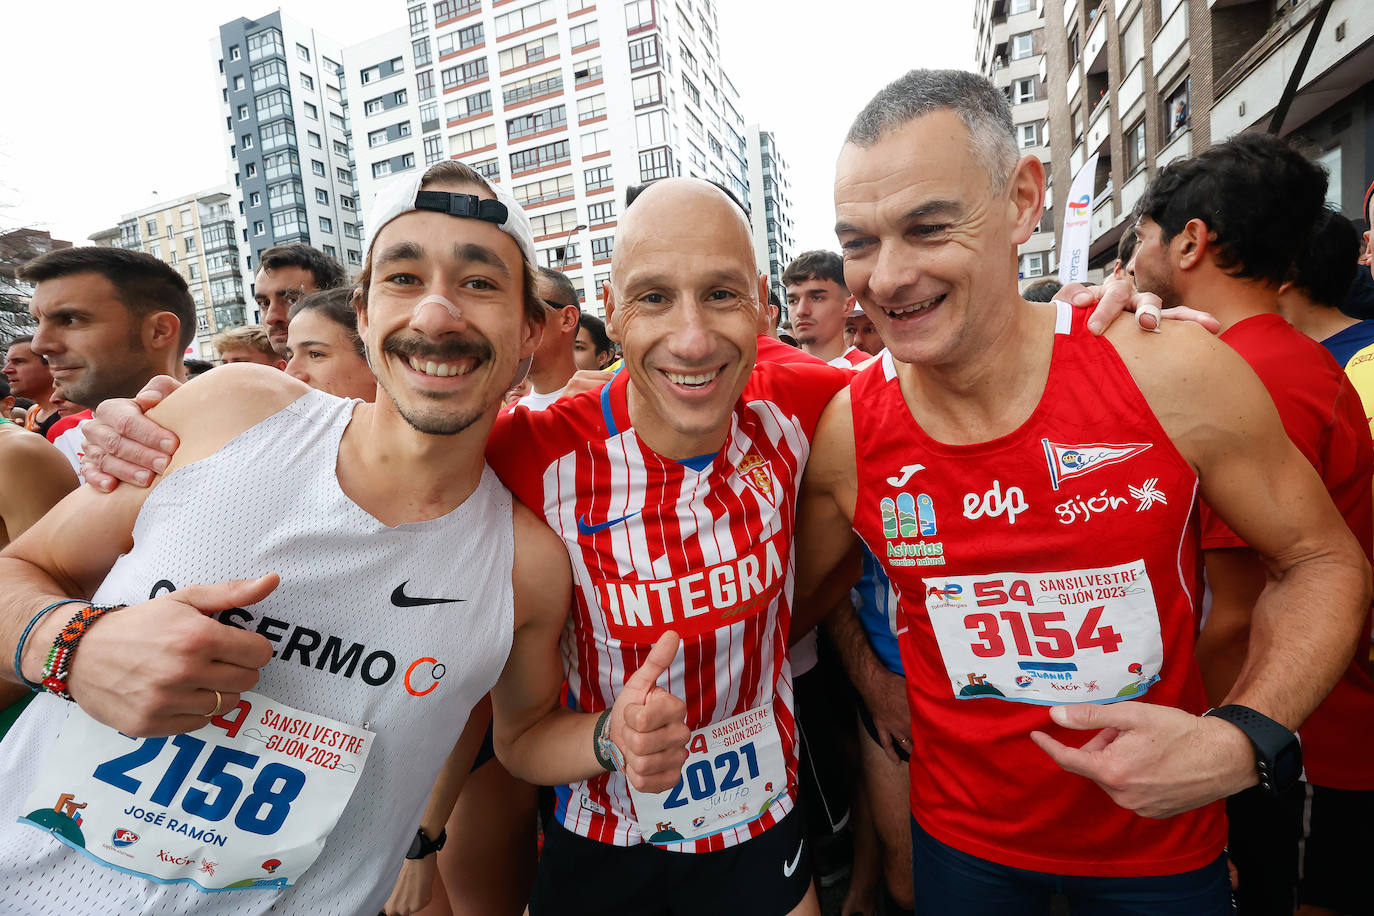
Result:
[660,546]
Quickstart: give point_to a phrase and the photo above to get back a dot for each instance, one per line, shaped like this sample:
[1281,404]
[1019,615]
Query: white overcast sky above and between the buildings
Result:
[106,104]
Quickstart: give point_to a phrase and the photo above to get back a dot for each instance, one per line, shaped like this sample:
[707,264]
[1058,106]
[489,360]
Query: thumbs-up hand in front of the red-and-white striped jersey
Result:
[648,723]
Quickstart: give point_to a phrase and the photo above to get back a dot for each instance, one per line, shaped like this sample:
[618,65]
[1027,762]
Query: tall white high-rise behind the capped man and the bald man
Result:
[567,104]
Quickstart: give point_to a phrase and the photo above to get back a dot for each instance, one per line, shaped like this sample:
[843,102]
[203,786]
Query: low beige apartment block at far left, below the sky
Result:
[200,236]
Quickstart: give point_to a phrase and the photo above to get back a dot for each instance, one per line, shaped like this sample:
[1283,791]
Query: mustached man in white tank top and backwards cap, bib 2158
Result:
[311,708]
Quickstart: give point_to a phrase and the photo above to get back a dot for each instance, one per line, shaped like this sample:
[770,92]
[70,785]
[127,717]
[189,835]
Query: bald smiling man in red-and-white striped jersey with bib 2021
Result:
[674,488]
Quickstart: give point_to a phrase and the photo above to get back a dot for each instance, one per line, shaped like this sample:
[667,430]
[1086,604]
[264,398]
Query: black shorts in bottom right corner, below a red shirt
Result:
[1338,851]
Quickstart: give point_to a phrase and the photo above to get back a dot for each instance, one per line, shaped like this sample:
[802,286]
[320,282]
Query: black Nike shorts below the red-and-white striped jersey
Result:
[765,877]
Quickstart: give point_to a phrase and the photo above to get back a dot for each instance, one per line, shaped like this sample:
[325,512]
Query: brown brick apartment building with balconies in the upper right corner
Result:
[1142,83]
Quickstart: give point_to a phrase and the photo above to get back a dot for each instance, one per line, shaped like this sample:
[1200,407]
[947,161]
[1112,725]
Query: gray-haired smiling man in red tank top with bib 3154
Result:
[1030,491]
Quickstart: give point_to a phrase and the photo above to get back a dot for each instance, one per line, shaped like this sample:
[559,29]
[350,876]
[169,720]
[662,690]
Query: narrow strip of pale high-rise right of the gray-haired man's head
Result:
[1011,50]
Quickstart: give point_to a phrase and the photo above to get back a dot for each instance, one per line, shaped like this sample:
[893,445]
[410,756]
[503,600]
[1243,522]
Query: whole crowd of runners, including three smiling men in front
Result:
[454,599]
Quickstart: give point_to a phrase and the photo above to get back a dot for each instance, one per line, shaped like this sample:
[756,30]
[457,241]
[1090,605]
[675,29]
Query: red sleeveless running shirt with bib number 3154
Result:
[1056,565]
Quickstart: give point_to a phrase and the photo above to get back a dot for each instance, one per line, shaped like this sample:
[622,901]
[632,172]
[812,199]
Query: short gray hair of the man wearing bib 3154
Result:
[980,105]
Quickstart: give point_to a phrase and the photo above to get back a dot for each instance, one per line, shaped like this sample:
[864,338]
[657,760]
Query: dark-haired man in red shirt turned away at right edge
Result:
[1222,230]
